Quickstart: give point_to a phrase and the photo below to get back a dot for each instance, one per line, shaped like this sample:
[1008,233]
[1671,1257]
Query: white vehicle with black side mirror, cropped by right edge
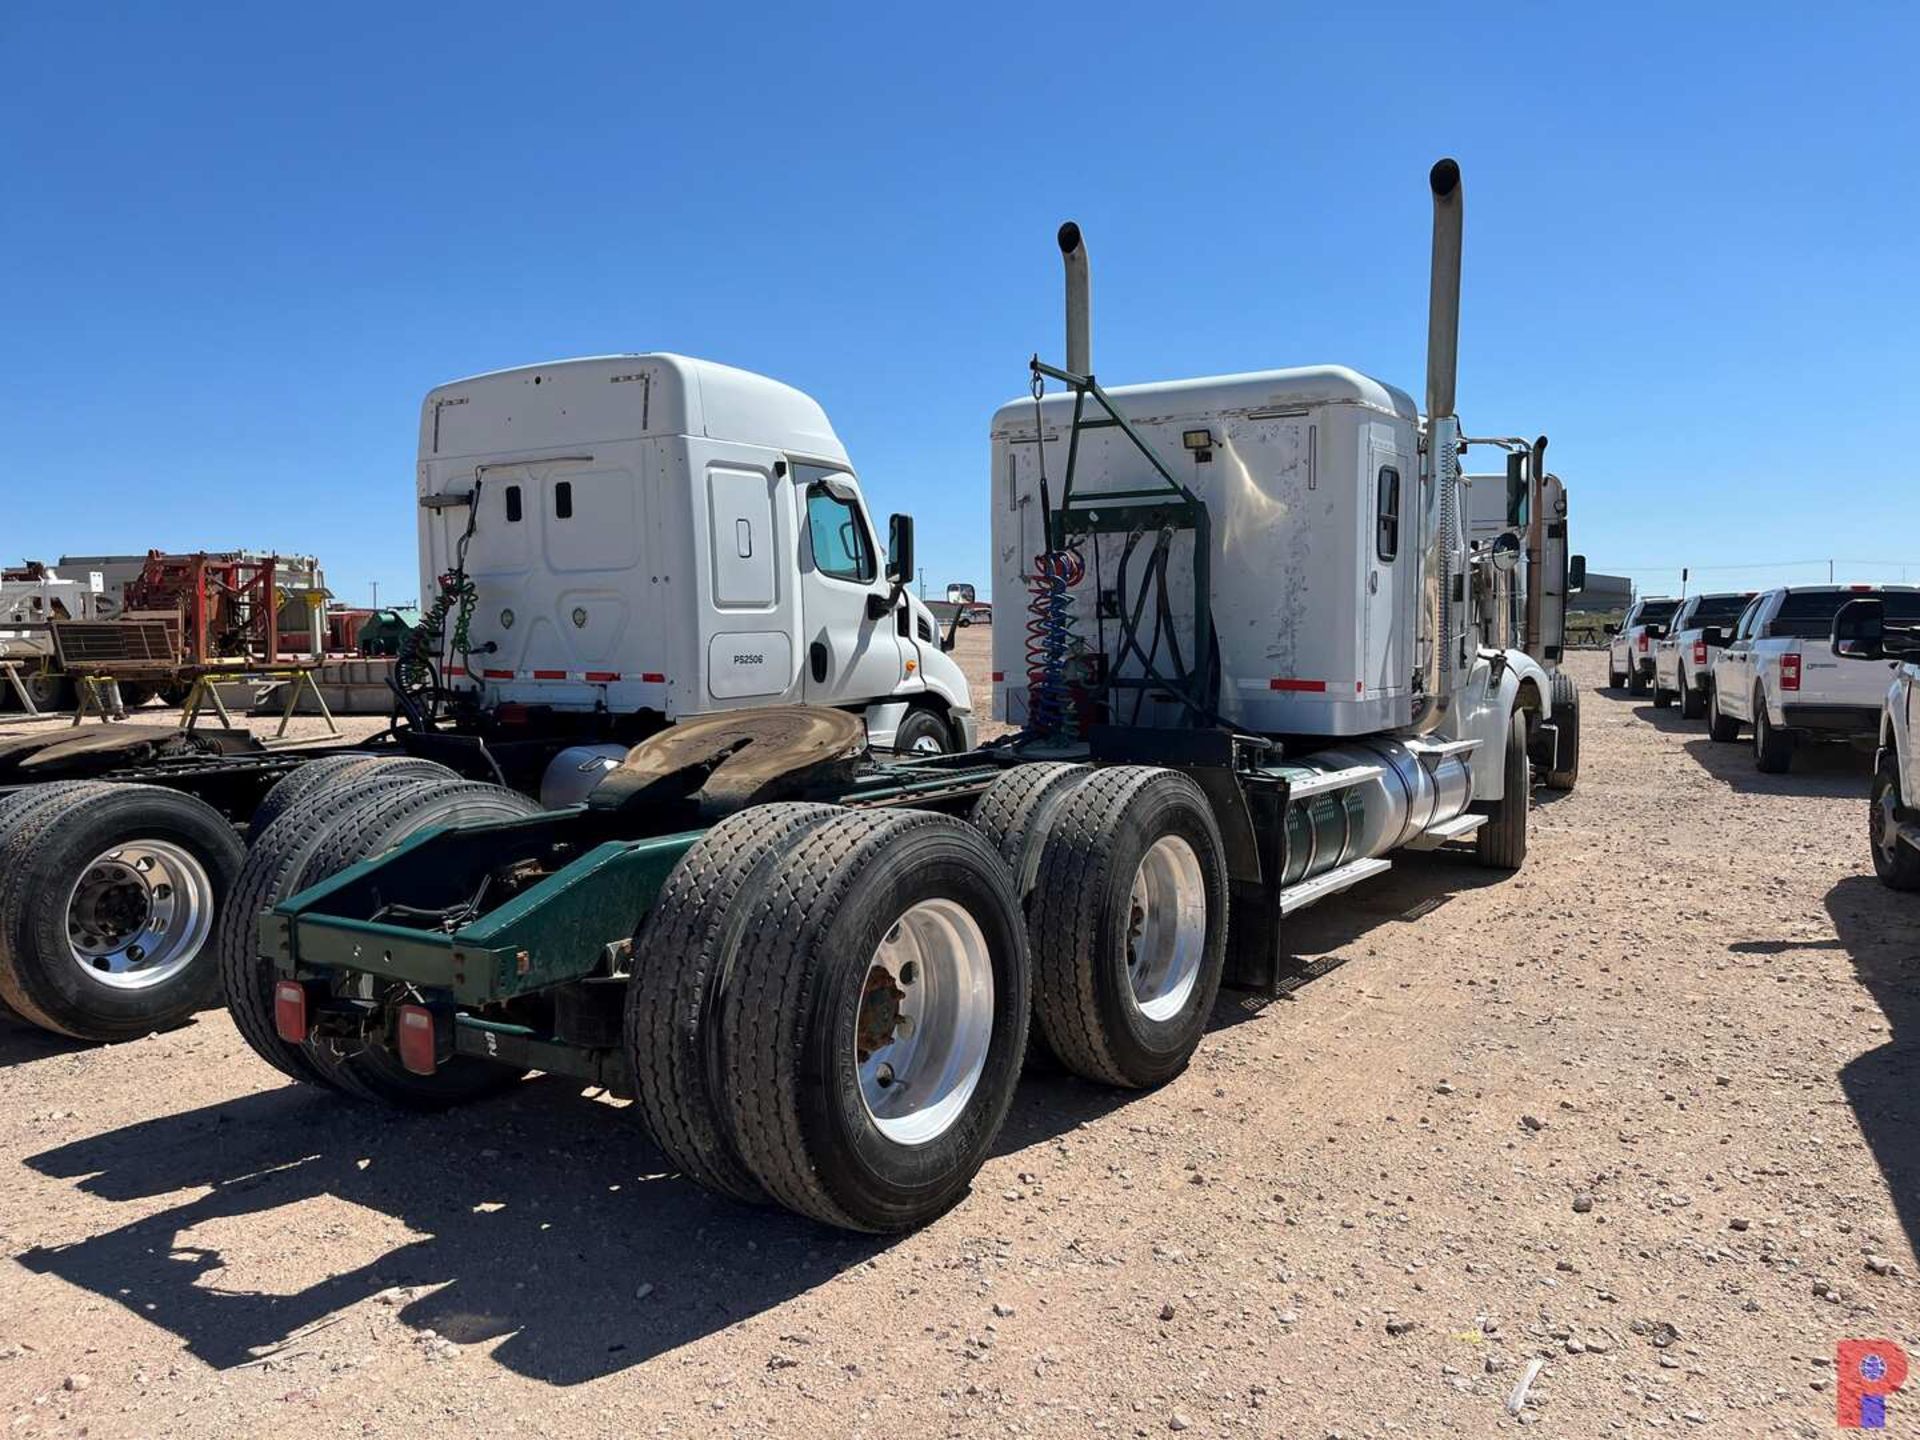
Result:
[1861,635]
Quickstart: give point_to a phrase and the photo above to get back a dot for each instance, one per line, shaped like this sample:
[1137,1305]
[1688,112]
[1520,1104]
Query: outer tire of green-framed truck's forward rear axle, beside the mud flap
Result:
[1130,926]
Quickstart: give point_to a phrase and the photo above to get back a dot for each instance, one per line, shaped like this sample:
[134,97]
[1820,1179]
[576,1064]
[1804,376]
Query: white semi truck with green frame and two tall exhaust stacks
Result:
[1249,675]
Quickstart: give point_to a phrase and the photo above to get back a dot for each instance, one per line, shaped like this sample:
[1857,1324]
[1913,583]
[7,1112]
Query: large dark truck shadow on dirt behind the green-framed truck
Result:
[542,1220]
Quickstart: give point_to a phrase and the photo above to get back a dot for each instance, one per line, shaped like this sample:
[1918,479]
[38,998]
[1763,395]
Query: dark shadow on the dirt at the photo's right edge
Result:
[1881,932]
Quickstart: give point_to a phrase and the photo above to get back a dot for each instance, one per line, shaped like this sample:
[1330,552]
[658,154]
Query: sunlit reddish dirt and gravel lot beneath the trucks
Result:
[1644,1111]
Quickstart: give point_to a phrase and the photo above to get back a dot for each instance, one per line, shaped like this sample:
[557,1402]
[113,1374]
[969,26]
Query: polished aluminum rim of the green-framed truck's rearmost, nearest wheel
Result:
[924,1022]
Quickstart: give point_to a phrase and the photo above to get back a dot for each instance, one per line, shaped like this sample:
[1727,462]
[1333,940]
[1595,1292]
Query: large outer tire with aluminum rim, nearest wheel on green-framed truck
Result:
[840,1109]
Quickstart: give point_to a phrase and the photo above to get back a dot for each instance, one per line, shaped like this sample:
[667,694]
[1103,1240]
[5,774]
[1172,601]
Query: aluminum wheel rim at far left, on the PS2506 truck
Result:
[139,915]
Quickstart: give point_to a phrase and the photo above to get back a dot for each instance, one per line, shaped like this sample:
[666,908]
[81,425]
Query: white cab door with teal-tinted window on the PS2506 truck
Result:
[850,654]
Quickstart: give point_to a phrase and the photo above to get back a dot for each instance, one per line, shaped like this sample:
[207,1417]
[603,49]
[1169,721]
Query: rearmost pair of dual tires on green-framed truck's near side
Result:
[830,1011]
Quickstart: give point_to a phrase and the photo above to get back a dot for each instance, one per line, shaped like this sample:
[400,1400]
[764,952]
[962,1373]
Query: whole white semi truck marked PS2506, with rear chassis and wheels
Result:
[613,546]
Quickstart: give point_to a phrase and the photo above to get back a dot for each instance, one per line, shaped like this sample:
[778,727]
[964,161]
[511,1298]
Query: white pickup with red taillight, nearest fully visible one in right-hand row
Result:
[1781,677]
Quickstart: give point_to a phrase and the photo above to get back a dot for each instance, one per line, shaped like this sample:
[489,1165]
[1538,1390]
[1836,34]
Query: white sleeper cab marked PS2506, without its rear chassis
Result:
[658,537]
